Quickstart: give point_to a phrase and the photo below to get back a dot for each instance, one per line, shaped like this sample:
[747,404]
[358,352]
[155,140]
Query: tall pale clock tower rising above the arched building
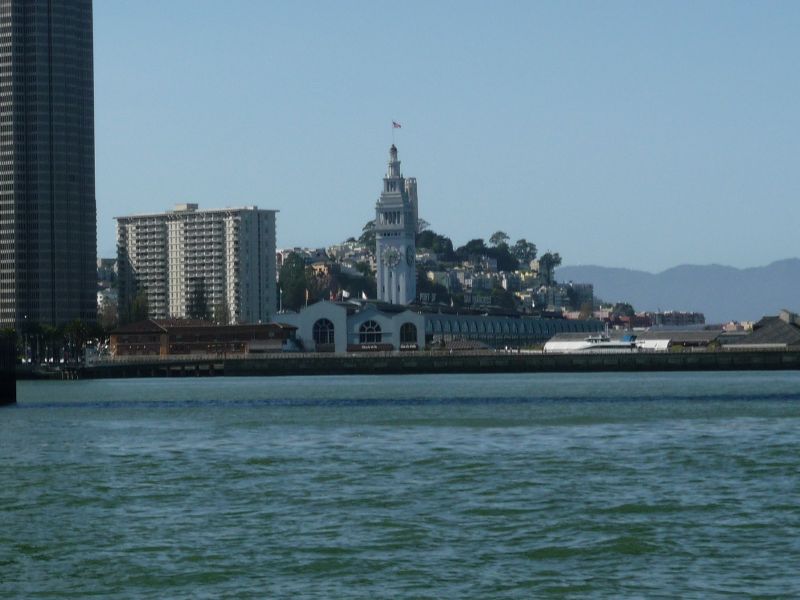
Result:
[395,232]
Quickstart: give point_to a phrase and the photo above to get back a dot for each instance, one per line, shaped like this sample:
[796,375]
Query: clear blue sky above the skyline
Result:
[640,134]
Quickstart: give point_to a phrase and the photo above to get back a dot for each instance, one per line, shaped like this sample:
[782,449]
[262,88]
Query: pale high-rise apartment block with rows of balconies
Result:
[221,262]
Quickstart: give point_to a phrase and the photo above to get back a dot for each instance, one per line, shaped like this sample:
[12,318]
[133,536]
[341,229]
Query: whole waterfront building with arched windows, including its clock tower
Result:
[395,322]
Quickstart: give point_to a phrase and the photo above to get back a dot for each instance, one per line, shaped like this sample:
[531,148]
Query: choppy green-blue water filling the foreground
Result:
[505,486]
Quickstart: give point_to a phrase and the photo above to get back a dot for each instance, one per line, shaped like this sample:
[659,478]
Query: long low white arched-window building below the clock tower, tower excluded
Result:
[359,326]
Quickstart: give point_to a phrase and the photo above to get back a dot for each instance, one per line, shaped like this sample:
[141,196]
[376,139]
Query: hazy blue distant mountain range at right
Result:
[722,293]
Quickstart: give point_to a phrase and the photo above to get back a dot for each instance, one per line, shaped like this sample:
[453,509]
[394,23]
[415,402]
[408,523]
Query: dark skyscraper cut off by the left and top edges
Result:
[48,229]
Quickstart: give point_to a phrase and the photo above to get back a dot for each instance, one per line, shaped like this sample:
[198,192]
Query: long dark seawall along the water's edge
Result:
[371,364]
